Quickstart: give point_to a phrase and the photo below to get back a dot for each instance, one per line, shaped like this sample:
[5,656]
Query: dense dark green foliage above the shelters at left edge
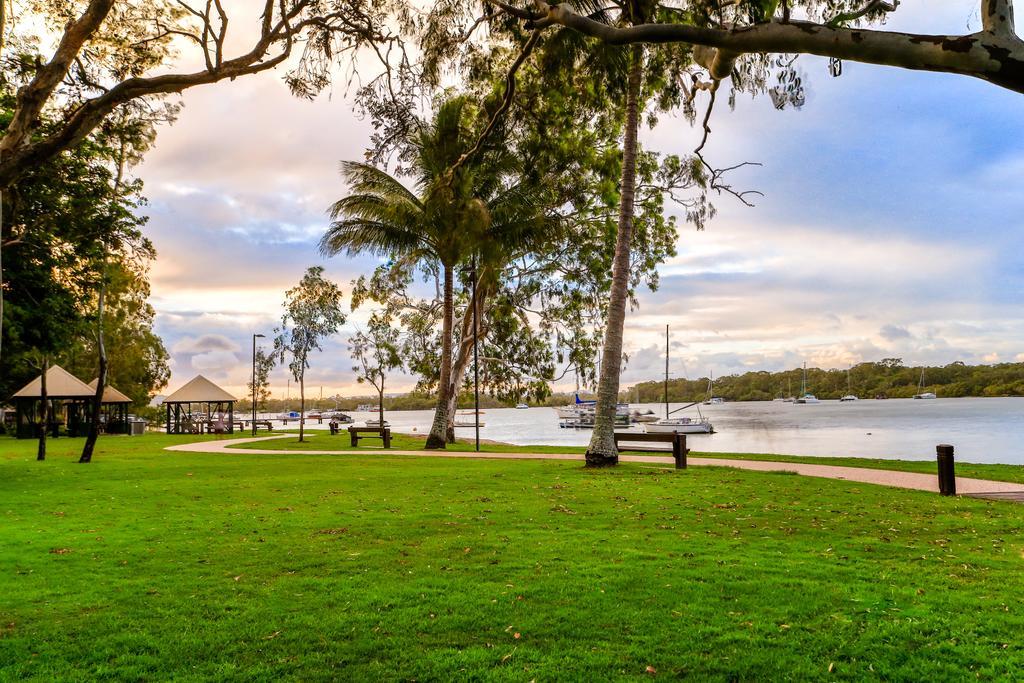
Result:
[65,231]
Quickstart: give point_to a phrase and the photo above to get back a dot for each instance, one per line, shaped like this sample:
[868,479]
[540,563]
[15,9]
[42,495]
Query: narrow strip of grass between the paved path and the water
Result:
[324,442]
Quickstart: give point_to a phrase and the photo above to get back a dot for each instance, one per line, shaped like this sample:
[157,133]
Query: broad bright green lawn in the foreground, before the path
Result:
[150,565]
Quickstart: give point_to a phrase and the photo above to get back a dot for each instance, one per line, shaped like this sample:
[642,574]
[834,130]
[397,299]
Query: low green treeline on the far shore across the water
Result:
[889,378]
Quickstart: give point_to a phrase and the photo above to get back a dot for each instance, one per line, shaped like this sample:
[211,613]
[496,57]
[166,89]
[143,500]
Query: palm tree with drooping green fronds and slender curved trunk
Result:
[439,226]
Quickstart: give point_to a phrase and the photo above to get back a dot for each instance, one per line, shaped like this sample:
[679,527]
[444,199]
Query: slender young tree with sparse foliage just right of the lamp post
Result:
[313,313]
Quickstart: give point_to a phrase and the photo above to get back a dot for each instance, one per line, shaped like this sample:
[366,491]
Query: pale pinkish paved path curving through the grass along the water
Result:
[965,486]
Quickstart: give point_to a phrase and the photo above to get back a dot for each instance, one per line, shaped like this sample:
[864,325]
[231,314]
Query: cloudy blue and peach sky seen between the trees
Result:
[890,226]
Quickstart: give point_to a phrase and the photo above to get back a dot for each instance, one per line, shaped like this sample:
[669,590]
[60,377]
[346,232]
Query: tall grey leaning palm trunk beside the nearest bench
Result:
[603,451]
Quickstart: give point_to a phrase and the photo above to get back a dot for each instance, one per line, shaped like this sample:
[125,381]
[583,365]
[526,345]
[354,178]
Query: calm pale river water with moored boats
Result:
[985,431]
